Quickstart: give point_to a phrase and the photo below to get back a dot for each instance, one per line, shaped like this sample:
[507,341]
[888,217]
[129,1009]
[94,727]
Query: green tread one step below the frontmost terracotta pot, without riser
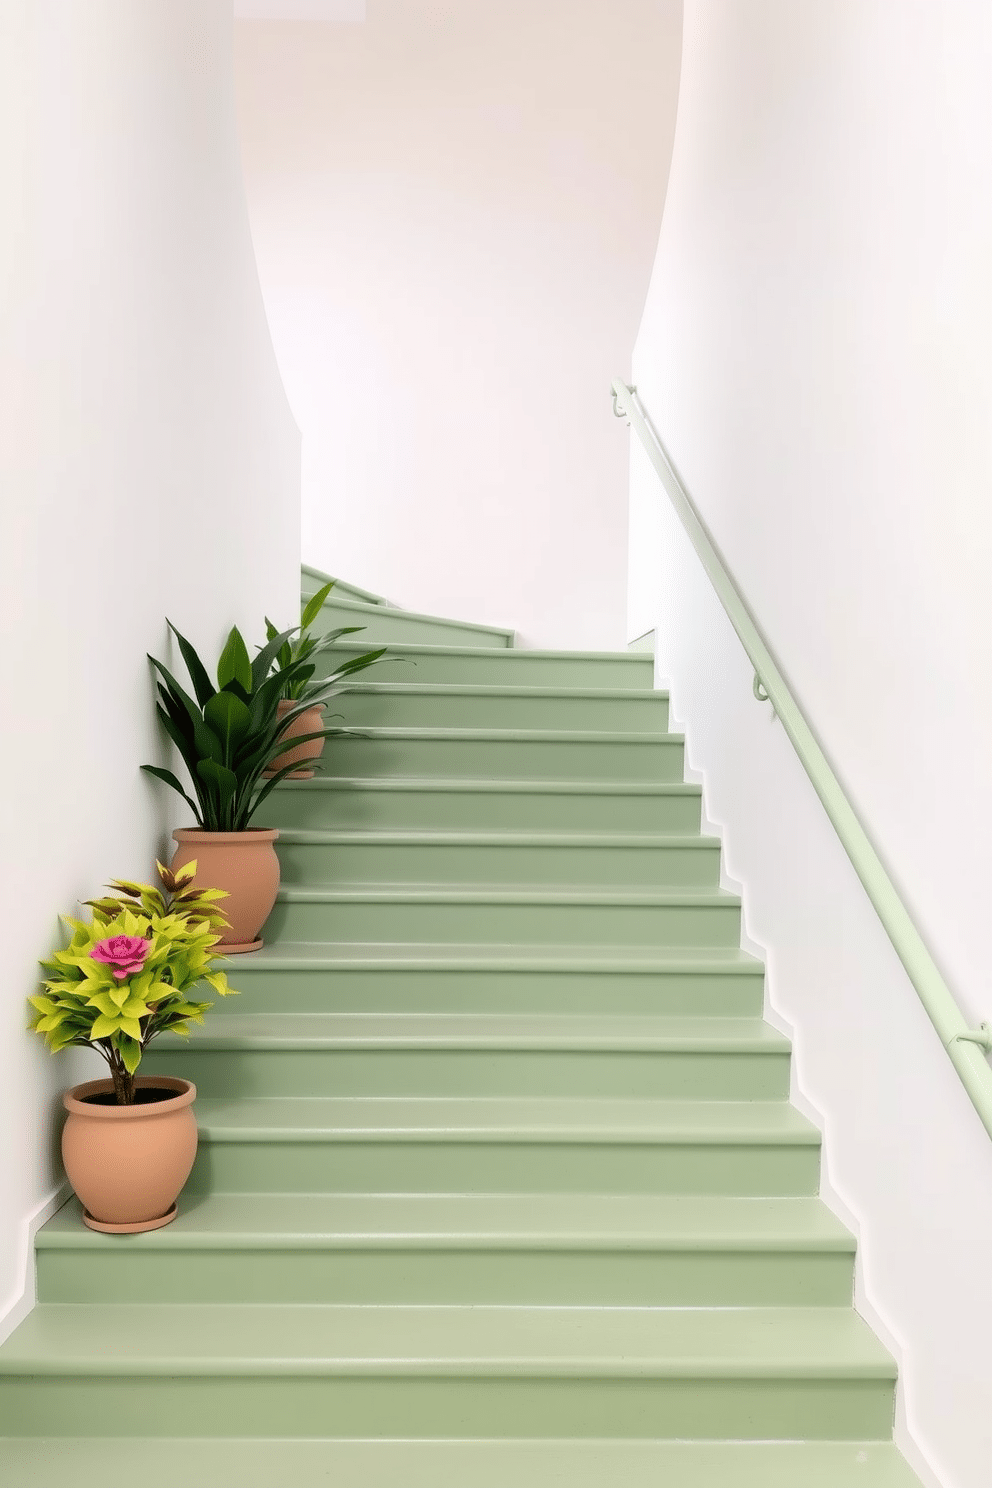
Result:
[819,1343]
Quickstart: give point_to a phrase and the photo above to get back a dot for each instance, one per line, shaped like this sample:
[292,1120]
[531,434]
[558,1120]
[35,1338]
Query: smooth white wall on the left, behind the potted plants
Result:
[149,466]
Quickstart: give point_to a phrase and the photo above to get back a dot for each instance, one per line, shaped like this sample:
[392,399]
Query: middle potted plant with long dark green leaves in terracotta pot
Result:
[228,737]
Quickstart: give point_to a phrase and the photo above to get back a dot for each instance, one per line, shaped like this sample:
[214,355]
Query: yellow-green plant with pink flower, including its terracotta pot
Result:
[130,1141]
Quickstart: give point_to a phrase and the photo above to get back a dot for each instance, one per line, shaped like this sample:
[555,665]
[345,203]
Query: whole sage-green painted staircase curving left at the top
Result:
[499,1181]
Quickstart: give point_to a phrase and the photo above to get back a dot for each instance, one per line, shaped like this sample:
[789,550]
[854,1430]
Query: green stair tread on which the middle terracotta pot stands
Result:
[405,955]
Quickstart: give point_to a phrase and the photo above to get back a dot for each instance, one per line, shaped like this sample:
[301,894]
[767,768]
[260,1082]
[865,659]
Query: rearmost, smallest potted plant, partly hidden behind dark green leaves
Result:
[301,687]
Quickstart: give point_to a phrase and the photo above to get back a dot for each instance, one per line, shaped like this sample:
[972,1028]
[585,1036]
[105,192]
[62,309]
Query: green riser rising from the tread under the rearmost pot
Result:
[658,761]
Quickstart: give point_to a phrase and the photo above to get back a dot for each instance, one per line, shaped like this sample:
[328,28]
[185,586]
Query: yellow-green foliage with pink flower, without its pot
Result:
[126,977]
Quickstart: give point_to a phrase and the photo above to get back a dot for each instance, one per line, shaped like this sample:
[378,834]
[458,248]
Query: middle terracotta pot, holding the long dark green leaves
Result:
[246,867]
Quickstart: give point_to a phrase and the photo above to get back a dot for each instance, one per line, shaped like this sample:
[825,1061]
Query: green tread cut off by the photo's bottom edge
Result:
[249,1463]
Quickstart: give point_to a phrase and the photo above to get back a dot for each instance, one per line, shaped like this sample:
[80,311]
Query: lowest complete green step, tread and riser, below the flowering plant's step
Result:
[683,1374]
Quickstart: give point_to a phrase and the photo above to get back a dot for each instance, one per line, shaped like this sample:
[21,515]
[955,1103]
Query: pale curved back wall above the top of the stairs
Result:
[456,211]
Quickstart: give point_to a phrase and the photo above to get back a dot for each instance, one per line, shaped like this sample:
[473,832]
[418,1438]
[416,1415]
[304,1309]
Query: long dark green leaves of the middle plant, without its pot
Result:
[230,734]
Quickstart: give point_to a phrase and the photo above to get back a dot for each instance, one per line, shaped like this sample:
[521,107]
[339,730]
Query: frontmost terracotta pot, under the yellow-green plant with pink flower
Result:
[130,1163]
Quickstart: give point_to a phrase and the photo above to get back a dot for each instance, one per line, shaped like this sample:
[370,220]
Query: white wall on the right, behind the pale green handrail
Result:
[817,353]
